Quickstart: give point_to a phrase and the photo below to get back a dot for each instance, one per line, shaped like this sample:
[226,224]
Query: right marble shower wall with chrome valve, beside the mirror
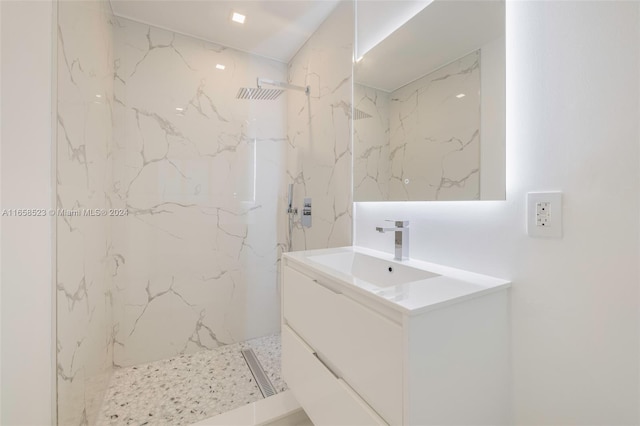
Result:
[319,132]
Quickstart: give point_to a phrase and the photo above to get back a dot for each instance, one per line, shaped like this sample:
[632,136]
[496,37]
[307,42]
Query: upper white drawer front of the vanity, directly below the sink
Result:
[363,347]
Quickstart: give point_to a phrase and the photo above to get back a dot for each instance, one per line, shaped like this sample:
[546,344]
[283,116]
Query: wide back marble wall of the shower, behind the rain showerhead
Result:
[200,173]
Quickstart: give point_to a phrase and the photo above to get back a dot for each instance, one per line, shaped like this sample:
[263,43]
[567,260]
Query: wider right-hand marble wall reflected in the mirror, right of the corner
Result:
[435,136]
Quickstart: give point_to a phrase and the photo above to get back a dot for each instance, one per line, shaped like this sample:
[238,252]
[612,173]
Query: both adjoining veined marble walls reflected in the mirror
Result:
[422,141]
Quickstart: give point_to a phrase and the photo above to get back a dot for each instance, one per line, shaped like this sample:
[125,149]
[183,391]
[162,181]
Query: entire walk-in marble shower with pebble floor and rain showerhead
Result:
[155,306]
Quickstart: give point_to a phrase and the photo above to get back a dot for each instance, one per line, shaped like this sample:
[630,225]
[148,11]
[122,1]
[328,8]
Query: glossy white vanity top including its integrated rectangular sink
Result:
[409,286]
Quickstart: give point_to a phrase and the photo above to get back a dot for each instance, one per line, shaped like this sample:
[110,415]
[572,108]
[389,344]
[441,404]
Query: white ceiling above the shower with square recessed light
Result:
[273,28]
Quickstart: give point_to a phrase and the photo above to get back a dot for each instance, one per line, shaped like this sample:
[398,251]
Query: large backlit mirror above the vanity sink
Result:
[429,101]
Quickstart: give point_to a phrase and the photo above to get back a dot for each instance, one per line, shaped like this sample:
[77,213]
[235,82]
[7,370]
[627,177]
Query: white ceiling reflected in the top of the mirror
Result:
[442,32]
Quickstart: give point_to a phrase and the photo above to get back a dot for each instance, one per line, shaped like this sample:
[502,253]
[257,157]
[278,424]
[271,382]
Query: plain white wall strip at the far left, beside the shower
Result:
[26,182]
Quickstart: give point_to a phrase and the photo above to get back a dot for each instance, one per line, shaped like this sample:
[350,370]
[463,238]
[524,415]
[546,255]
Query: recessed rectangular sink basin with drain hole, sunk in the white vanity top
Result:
[376,271]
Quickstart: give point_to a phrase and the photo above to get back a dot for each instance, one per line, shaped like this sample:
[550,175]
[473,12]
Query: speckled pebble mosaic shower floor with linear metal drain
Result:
[189,388]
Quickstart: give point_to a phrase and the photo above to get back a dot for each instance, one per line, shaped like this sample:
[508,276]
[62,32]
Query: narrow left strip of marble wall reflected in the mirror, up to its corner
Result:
[371,128]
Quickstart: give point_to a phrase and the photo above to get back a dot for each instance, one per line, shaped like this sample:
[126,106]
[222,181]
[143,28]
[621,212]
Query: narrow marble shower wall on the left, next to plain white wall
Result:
[83,243]
